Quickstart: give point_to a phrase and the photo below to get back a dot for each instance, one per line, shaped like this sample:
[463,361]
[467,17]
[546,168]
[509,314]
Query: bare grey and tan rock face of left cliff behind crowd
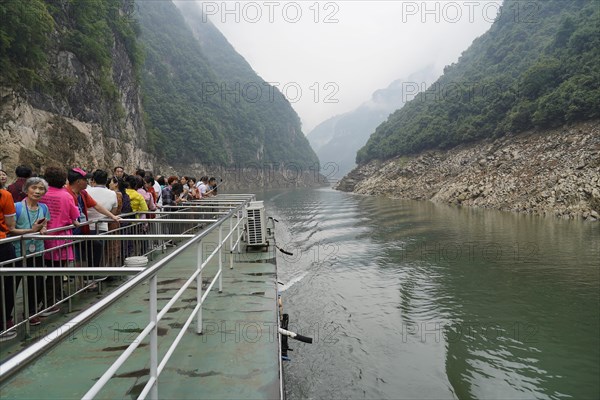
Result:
[76,123]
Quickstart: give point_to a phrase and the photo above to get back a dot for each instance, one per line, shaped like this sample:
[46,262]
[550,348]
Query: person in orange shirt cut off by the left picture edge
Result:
[7,252]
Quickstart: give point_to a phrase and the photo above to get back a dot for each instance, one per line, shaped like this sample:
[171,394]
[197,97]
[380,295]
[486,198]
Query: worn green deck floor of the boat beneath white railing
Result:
[235,358]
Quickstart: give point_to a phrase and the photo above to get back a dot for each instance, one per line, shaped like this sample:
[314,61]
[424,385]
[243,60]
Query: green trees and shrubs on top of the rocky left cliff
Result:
[87,28]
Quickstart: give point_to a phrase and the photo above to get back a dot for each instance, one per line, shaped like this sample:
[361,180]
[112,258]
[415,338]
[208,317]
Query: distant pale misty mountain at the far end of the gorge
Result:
[337,139]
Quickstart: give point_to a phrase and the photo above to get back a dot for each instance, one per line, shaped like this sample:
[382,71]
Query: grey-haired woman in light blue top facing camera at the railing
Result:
[32,217]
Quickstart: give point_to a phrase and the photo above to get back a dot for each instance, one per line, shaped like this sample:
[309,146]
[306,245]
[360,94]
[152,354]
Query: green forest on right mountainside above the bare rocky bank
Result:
[535,68]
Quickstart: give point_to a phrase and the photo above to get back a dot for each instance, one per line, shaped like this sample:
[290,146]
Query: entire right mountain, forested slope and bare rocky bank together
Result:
[513,125]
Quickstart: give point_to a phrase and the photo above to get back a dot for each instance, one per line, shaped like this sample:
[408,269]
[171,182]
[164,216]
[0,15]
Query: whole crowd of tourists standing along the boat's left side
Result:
[71,197]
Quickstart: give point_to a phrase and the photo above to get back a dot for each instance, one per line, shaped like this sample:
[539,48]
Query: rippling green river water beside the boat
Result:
[413,300]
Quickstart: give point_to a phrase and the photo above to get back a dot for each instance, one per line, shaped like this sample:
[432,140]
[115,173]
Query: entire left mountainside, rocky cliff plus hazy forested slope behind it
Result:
[99,83]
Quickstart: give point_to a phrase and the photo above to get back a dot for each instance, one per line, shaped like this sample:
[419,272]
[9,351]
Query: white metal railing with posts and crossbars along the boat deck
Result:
[227,208]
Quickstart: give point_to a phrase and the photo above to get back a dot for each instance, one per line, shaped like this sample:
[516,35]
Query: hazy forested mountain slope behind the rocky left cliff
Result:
[204,102]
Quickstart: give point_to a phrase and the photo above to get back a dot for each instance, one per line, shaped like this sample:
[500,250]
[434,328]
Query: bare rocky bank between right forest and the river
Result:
[551,173]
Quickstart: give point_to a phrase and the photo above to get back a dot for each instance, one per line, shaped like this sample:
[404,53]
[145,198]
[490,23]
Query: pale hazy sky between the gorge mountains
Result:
[328,57]
